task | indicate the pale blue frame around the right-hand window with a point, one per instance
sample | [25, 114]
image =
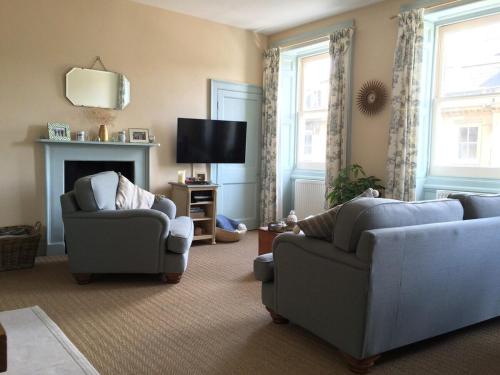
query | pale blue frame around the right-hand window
[427, 182]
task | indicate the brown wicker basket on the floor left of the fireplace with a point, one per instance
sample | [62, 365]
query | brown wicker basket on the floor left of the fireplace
[18, 252]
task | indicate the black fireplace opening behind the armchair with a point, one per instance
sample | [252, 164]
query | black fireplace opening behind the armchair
[74, 169]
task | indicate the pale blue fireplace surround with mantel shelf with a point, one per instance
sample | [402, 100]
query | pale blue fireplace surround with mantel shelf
[57, 152]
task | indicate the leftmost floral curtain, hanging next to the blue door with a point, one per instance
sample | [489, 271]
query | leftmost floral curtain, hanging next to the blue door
[269, 130]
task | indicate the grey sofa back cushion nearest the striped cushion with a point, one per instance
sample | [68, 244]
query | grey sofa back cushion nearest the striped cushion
[368, 213]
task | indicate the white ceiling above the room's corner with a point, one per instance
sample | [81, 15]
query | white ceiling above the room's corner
[264, 16]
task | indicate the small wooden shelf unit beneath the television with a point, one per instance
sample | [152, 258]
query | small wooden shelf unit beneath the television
[199, 202]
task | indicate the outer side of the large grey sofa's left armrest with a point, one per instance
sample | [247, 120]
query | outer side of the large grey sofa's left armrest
[322, 289]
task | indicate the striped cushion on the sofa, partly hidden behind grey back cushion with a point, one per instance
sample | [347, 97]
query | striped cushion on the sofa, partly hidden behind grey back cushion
[322, 225]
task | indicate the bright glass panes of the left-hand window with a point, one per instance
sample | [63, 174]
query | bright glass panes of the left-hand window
[312, 94]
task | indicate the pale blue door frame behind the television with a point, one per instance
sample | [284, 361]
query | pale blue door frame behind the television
[215, 86]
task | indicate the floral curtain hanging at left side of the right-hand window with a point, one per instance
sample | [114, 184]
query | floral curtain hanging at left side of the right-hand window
[402, 152]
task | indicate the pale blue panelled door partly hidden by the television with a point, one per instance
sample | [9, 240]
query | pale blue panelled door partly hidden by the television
[239, 191]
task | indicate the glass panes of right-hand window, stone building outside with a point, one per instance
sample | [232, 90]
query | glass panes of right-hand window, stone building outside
[466, 99]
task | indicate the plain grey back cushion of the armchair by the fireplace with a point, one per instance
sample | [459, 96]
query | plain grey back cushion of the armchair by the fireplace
[97, 192]
